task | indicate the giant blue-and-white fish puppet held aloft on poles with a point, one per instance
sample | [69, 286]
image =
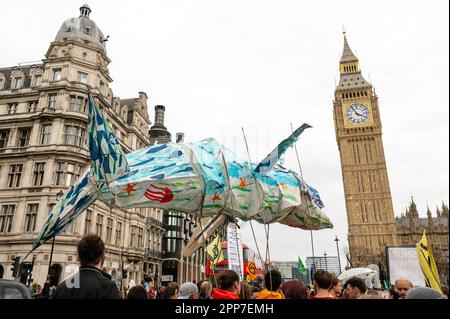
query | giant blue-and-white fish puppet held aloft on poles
[202, 178]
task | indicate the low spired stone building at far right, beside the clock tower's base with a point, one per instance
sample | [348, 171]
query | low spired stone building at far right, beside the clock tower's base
[410, 230]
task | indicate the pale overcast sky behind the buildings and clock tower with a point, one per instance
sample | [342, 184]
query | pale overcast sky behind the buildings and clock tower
[218, 66]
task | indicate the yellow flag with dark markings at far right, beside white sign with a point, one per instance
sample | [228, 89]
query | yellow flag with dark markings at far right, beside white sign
[427, 264]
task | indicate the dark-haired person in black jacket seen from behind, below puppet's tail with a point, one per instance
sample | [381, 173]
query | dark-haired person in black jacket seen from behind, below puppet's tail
[90, 282]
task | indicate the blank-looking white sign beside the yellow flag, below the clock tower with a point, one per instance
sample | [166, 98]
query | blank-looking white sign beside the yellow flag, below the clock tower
[404, 263]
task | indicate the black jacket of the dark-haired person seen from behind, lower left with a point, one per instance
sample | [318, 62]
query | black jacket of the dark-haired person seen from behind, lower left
[88, 283]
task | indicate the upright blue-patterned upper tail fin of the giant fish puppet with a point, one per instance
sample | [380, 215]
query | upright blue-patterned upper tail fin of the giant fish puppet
[108, 158]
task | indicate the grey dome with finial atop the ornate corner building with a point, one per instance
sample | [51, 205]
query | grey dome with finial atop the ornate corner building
[82, 27]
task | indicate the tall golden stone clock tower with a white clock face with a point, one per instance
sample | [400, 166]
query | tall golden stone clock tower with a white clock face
[370, 214]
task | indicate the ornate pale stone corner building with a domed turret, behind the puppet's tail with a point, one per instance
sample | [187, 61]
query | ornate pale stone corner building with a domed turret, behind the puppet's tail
[43, 150]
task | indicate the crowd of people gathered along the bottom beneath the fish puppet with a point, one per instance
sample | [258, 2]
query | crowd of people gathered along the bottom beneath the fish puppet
[93, 283]
